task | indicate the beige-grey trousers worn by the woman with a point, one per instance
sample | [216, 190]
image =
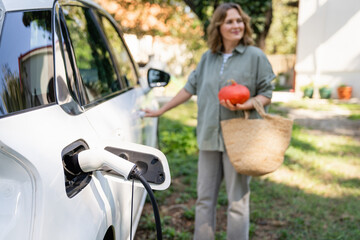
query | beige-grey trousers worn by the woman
[213, 166]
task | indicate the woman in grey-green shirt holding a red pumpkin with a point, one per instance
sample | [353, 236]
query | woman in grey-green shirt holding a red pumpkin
[230, 56]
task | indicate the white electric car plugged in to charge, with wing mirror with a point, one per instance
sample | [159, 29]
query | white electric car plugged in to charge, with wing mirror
[68, 85]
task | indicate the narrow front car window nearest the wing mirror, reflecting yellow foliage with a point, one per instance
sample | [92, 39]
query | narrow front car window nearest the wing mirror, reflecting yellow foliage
[123, 60]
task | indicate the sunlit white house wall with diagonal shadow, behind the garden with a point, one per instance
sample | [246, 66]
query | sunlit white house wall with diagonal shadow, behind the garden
[328, 50]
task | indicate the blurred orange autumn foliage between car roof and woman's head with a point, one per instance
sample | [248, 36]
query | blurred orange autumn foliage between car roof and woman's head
[160, 18]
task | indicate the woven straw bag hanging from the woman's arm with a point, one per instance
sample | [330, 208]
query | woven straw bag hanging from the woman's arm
[257, 146]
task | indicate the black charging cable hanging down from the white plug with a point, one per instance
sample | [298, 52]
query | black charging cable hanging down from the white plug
[136, 174]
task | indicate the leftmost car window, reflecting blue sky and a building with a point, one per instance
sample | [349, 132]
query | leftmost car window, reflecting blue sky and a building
[26, 61]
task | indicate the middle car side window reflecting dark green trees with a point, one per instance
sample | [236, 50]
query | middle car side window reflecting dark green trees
[92, 56]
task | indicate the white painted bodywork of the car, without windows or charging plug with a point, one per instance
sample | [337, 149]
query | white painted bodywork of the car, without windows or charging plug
[33, 200]
